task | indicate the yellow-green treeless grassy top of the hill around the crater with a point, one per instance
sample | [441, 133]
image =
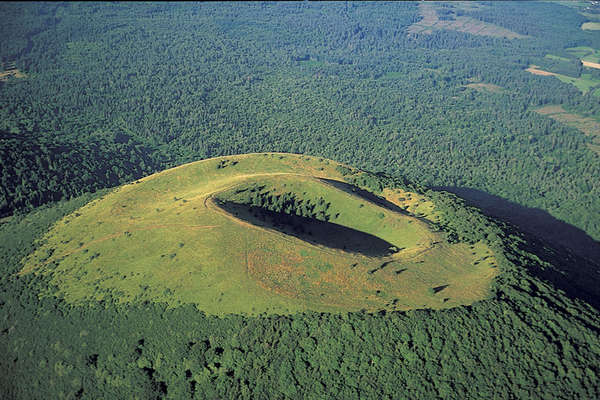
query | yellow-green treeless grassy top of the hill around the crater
[170, 237]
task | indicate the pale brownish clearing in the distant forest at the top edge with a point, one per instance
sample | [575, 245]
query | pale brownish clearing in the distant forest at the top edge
[431, 22]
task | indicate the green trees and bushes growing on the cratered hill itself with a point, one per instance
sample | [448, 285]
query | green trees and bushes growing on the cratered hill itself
[536, 336]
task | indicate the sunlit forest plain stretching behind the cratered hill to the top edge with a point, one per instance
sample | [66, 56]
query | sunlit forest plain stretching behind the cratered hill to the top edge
[190, 82]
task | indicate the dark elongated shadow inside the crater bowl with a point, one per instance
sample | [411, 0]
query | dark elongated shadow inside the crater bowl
[311, 230]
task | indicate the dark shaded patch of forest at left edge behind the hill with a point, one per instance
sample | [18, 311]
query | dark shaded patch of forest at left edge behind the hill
[36, 169]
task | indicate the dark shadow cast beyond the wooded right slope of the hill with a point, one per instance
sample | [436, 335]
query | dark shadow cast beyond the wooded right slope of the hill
[574, 254]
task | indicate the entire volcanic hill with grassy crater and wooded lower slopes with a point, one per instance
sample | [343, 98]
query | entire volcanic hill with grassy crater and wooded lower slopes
[209, 280]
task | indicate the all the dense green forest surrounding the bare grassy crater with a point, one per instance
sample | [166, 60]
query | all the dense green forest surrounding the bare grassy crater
[112, 92]
